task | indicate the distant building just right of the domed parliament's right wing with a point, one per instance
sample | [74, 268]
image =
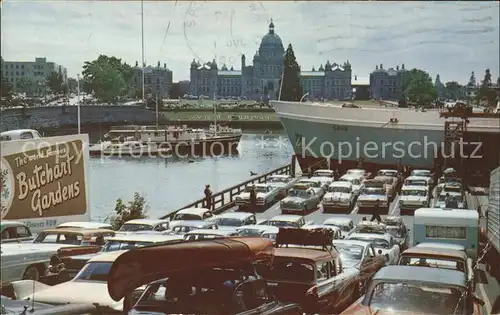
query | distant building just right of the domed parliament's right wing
[386, 83]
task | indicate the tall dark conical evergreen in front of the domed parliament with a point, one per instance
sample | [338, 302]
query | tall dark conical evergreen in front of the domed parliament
[292, 88]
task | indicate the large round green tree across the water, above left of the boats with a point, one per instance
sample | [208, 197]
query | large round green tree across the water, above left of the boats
[109, 78]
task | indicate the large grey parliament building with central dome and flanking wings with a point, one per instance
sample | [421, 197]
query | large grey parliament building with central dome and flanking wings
[261, 79]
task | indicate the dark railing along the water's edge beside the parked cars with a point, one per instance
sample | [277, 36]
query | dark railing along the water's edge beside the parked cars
[225, 199]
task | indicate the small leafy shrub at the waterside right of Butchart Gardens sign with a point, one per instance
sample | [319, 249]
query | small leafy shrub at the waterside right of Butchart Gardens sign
[135, 209]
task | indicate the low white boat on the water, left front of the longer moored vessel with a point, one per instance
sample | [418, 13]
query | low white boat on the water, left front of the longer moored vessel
[130, 148]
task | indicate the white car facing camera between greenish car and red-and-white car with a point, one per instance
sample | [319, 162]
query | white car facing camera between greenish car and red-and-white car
[340, 195]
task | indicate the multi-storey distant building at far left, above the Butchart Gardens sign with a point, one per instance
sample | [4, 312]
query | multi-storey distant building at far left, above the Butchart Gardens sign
[30, 76]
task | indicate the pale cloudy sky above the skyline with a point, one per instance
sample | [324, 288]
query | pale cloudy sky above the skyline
[447, 38]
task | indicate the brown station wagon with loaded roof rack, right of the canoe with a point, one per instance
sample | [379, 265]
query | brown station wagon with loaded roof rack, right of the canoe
[298, 274]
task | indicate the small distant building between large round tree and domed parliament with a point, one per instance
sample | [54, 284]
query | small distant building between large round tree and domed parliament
[157, 80]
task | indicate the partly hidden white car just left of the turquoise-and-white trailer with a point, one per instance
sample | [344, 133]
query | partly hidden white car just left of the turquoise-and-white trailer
[383, 243]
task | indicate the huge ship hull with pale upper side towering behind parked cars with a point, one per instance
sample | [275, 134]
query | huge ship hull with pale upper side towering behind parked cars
[377, 137]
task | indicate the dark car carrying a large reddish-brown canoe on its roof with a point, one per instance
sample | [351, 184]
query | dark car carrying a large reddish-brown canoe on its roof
[207, 277]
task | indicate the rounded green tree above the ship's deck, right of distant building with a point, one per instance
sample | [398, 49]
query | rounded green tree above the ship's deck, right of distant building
[417, 87]
